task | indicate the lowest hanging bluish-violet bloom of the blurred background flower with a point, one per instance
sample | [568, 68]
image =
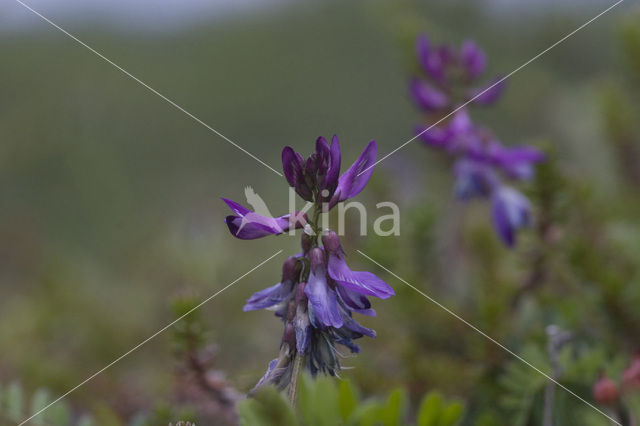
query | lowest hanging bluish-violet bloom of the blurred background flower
[510, 211]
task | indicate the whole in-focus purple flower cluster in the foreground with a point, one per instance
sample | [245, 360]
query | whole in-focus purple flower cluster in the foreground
[318, 293]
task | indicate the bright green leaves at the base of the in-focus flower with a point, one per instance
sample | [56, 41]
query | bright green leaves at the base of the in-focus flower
[322, 402]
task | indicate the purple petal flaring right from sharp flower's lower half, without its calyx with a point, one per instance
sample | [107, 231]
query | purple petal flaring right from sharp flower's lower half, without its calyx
[359, 281]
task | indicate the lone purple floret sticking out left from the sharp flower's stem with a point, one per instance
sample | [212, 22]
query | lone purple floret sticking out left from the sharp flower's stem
[248, 225]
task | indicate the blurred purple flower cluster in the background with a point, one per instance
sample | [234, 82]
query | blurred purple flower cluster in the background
[482, 163]
